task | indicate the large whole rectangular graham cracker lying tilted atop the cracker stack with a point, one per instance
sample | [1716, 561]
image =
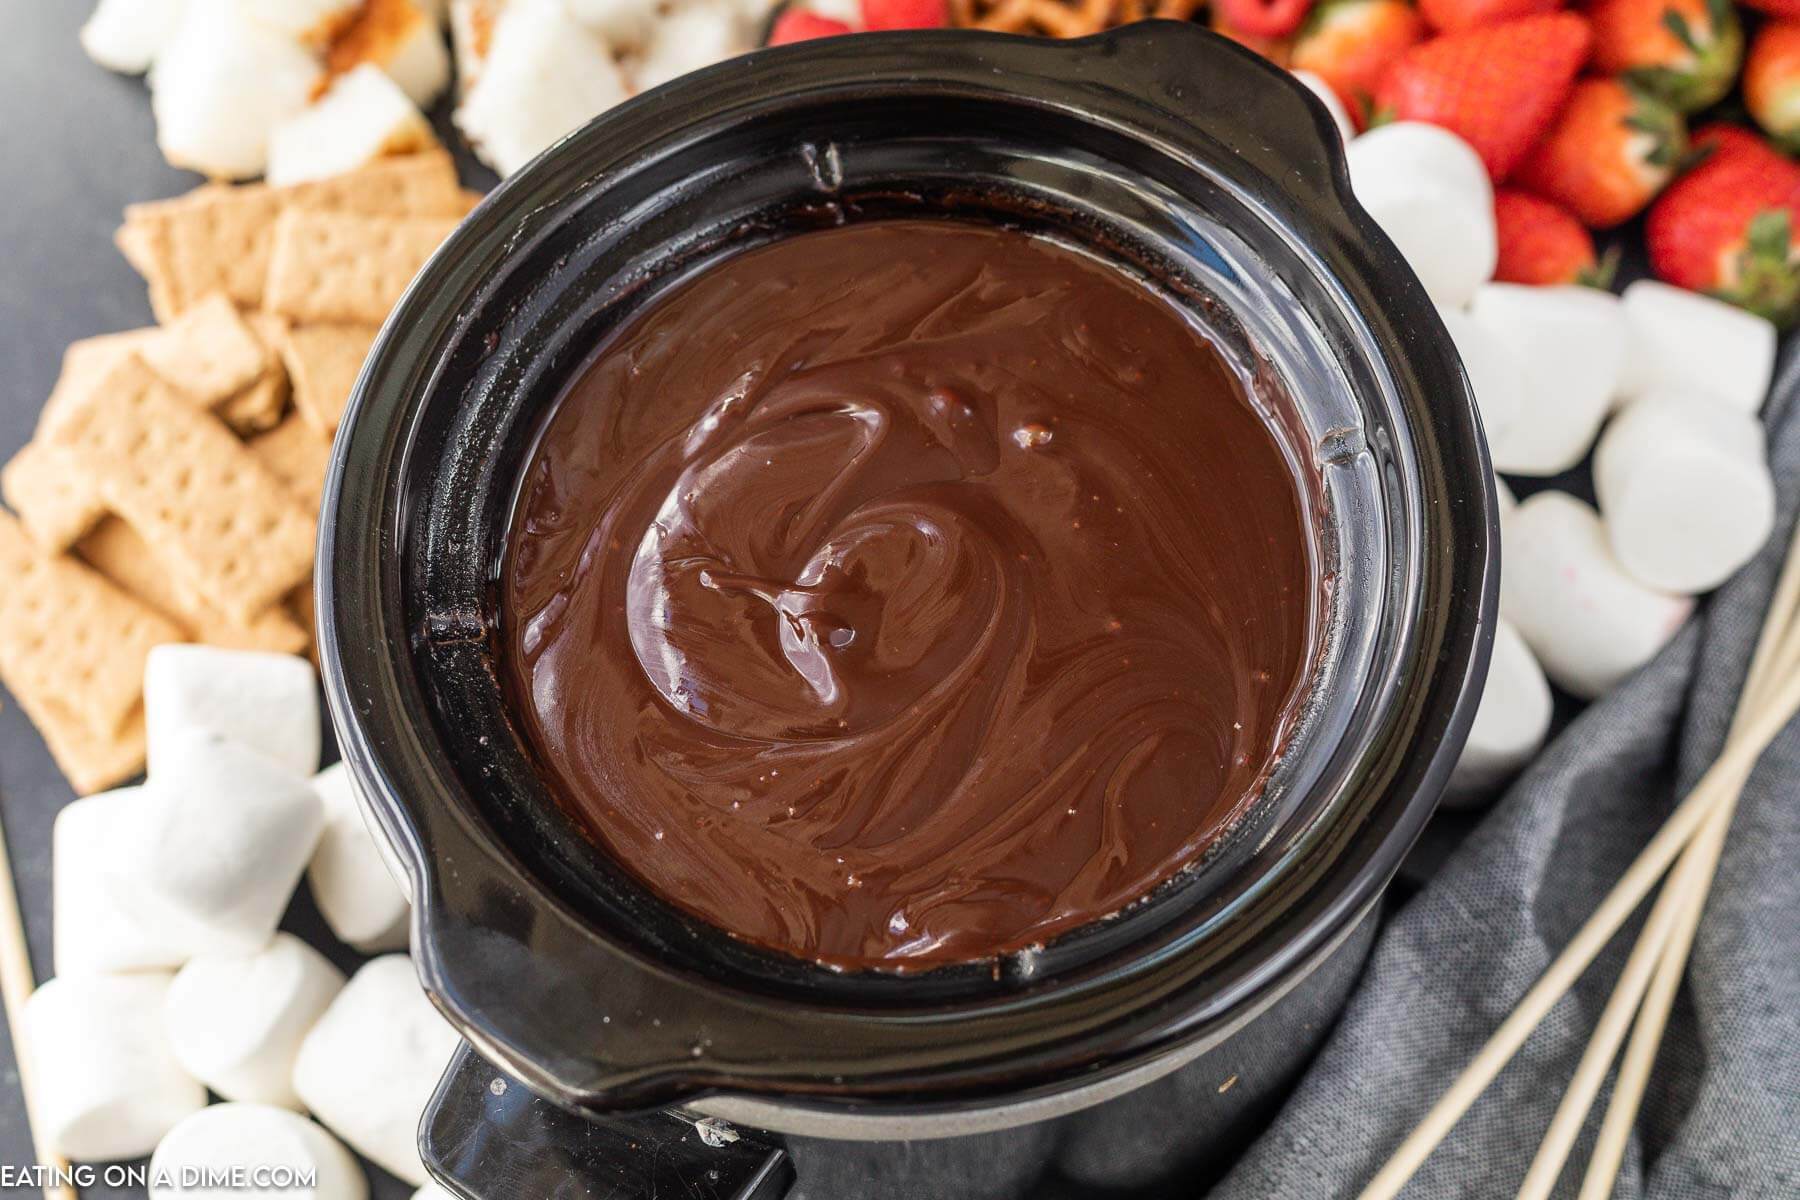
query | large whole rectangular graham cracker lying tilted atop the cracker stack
[193, 492]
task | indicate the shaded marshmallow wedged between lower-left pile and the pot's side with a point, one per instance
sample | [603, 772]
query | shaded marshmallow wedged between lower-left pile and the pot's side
[350, 881]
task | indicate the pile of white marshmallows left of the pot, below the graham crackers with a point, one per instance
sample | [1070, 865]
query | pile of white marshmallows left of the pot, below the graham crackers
[172, 978]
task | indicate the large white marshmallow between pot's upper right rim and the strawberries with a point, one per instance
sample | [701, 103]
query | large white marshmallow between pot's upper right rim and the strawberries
[1428, 192]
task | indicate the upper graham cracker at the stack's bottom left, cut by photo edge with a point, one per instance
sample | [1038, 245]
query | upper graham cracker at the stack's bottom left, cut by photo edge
[71, 643]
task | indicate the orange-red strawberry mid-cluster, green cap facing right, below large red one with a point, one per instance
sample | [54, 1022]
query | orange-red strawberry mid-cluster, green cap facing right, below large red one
[1608, 154]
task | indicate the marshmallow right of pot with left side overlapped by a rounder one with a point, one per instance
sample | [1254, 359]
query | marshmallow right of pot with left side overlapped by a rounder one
[1570, 345]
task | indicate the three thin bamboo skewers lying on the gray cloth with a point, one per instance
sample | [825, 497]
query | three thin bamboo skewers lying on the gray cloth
[1695, 832]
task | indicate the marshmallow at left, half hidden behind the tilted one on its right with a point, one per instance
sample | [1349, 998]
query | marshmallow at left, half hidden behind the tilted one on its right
[93, 929]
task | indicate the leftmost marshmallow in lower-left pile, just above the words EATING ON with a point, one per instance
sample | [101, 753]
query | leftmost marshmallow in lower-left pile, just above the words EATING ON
[107, 1086]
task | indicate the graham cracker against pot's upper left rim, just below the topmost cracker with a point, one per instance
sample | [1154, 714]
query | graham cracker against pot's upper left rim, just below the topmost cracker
[345, 267]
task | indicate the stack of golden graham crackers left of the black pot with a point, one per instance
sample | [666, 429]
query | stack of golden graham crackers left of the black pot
[172, 490]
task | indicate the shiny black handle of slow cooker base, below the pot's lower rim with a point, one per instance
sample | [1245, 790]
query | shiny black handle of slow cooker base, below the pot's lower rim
[489, 1138]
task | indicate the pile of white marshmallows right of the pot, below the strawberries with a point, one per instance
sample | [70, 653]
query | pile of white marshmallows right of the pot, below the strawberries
[1680, 467]
